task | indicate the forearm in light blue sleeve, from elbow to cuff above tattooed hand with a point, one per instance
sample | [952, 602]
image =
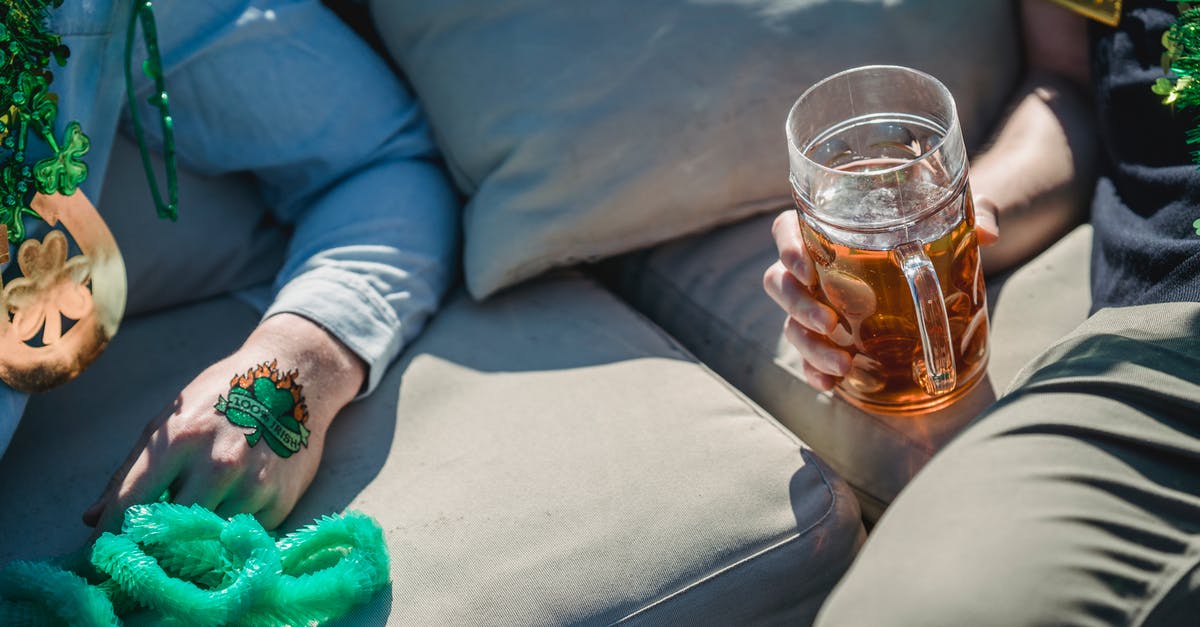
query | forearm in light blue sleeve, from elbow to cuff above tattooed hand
[371, 260]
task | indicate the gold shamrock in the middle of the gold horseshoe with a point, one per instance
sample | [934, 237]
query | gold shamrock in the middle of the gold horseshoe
[52, 288]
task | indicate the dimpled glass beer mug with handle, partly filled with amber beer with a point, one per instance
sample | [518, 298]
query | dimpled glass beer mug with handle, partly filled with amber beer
[879, 172]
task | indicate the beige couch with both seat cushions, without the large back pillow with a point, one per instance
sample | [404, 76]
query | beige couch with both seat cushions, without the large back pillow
[619, 443]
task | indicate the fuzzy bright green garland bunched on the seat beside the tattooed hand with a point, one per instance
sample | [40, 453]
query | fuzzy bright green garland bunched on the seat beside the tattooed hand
[195, 569]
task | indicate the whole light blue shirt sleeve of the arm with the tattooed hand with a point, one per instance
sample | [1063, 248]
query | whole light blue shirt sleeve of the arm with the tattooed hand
[343, 154]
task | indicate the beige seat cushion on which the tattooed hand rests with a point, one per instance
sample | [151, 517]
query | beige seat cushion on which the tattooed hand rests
[547, 458]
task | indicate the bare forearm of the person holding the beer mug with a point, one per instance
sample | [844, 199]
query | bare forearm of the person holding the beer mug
[1040, 171]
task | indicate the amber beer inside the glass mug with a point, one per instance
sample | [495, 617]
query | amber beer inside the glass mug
[878, 321]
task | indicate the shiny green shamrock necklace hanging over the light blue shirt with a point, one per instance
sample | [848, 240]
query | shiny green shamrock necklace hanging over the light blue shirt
[28, 106]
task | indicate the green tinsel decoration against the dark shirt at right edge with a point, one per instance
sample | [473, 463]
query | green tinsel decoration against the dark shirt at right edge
[1183, 59]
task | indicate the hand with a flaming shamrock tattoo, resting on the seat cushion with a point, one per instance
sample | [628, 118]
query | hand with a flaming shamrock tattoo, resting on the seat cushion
[247, 435]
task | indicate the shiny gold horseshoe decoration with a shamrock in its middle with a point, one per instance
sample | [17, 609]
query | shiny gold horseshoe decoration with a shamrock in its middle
[55, 288]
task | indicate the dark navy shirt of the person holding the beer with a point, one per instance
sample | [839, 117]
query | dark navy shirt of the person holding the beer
[1149, 196]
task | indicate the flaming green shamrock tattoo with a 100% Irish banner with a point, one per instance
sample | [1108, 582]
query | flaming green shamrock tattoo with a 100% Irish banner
[273, 405]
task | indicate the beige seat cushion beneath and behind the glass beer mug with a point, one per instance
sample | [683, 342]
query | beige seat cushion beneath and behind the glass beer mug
[707, 292]
